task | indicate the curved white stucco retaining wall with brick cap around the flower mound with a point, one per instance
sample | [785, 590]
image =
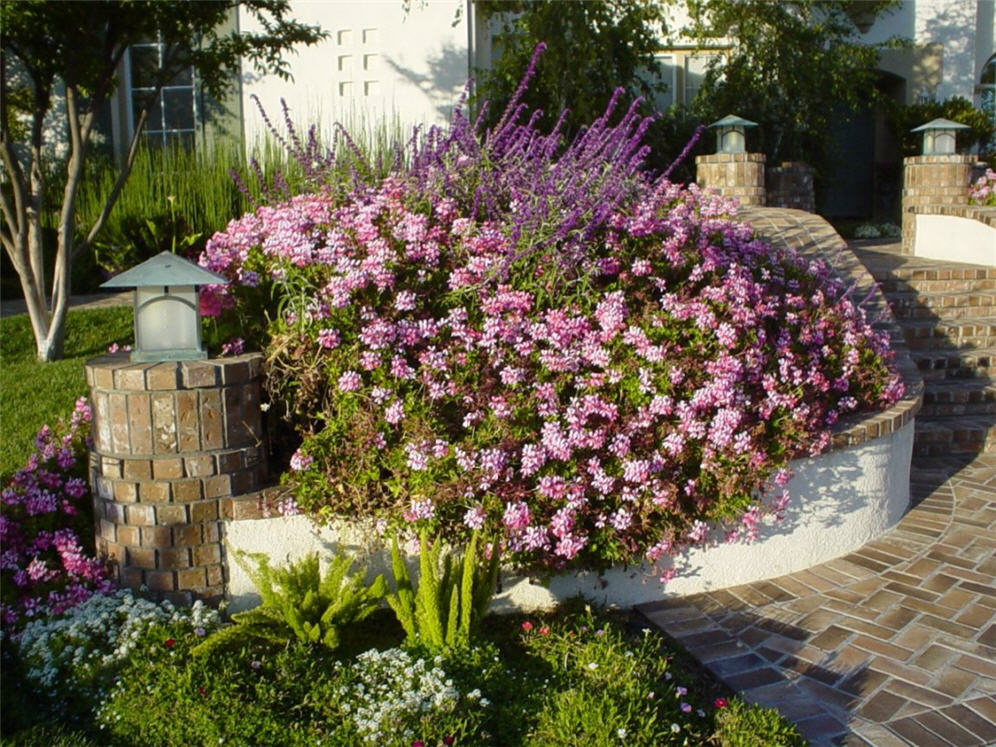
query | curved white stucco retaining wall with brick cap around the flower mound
[842, 499]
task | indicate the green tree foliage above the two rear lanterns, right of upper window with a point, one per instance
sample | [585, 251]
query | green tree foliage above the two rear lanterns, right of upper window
[795, 66]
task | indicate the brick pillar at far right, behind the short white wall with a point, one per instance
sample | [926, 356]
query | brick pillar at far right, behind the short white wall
[932, 180]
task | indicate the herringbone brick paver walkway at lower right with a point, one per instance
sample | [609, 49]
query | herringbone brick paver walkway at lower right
[894, 644]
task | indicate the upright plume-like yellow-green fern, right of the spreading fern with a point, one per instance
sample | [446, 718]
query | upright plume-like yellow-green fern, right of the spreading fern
[445, 609]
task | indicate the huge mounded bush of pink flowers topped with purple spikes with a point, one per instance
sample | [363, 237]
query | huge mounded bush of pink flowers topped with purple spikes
[593, 365]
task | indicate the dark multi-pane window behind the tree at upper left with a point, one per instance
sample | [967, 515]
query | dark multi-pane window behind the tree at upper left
[173, 113]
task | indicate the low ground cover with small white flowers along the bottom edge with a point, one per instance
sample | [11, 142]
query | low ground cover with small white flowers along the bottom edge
[118, 670]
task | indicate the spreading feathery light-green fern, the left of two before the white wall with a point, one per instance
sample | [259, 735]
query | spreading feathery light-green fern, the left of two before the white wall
[298, 603]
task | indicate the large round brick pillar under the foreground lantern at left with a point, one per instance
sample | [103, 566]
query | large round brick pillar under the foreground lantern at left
[172, 443]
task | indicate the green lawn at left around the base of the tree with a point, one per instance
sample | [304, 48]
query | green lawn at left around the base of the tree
[33, 393]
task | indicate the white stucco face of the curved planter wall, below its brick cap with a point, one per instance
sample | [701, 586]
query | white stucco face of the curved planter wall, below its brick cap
[841, 500]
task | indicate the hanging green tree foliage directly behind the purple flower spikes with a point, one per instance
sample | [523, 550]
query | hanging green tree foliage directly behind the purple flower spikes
[592, 48]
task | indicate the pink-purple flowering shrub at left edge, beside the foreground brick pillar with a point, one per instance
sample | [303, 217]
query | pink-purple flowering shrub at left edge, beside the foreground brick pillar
[44, 564]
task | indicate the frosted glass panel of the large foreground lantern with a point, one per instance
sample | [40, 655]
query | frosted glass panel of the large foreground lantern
[167, 321]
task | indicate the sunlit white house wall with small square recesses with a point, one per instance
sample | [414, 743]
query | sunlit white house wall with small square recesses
[378, 62]
